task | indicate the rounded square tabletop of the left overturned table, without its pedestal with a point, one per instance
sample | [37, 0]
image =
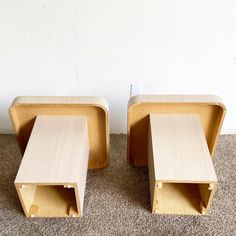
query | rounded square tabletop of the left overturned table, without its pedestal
[24, 110]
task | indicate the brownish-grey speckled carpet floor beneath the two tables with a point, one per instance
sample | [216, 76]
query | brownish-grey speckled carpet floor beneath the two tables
[117, 199]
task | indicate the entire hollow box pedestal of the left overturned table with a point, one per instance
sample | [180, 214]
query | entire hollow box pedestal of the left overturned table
[52, 176]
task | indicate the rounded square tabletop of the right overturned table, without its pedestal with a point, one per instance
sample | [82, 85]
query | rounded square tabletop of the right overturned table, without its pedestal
[209, 108]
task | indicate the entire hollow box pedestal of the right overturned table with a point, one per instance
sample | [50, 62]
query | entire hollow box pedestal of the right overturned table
[181, 173]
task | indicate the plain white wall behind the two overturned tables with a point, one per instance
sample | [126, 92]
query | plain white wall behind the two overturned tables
[99, 47]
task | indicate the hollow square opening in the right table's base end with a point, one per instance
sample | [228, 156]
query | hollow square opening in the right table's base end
[182, 198]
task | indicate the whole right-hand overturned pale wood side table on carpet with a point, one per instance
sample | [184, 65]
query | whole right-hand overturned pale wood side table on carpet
[176, 137]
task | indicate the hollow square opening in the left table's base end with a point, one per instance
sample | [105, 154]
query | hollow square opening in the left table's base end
[48, 200]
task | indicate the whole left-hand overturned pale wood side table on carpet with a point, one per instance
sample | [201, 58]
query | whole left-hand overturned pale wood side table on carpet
[60, 138]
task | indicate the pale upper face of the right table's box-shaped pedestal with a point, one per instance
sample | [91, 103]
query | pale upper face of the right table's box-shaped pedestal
[180, 150]
